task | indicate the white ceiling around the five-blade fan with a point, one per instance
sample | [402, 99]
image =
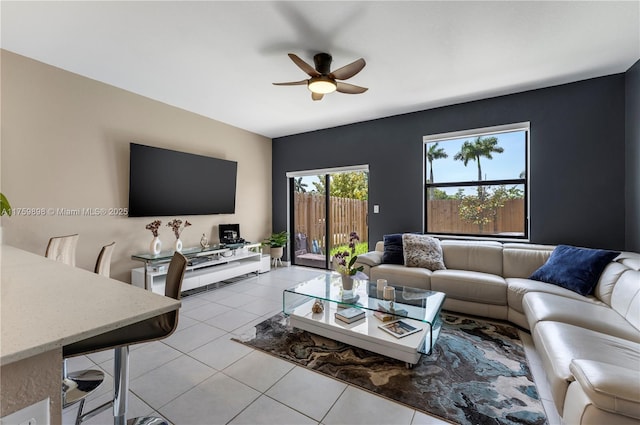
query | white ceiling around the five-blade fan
[218, 59]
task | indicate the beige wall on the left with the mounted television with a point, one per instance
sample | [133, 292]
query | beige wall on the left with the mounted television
[65, 145]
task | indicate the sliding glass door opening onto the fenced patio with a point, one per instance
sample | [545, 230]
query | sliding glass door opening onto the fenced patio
[325, 208]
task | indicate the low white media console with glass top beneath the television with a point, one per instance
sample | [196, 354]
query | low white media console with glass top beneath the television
[205, 266]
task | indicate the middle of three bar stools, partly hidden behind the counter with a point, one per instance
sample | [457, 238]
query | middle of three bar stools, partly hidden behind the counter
[76, 386]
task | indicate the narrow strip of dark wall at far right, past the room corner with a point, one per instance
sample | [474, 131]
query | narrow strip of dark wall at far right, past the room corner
[632, 166]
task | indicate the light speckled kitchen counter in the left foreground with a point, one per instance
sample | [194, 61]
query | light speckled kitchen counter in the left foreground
[45, 305]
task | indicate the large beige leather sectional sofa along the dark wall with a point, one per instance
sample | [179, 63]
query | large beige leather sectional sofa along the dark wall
[589, 345]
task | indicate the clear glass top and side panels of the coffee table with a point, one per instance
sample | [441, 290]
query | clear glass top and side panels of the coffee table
[410, 303]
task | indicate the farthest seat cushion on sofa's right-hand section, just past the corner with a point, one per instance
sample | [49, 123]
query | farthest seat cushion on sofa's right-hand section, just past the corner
[597, 316]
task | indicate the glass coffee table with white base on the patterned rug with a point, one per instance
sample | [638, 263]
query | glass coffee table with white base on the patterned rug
[417, 308]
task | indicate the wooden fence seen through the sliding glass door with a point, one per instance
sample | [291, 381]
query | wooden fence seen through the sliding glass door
[345, 216]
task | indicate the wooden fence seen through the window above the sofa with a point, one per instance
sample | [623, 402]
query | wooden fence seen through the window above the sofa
[443, 217]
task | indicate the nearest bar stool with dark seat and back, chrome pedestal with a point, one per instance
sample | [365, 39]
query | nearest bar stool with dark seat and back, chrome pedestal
[152, 329]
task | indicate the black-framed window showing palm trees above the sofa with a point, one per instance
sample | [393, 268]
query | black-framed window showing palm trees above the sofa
[476, 182]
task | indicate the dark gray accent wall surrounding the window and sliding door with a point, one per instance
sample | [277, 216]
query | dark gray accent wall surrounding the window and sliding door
[577, 160]
